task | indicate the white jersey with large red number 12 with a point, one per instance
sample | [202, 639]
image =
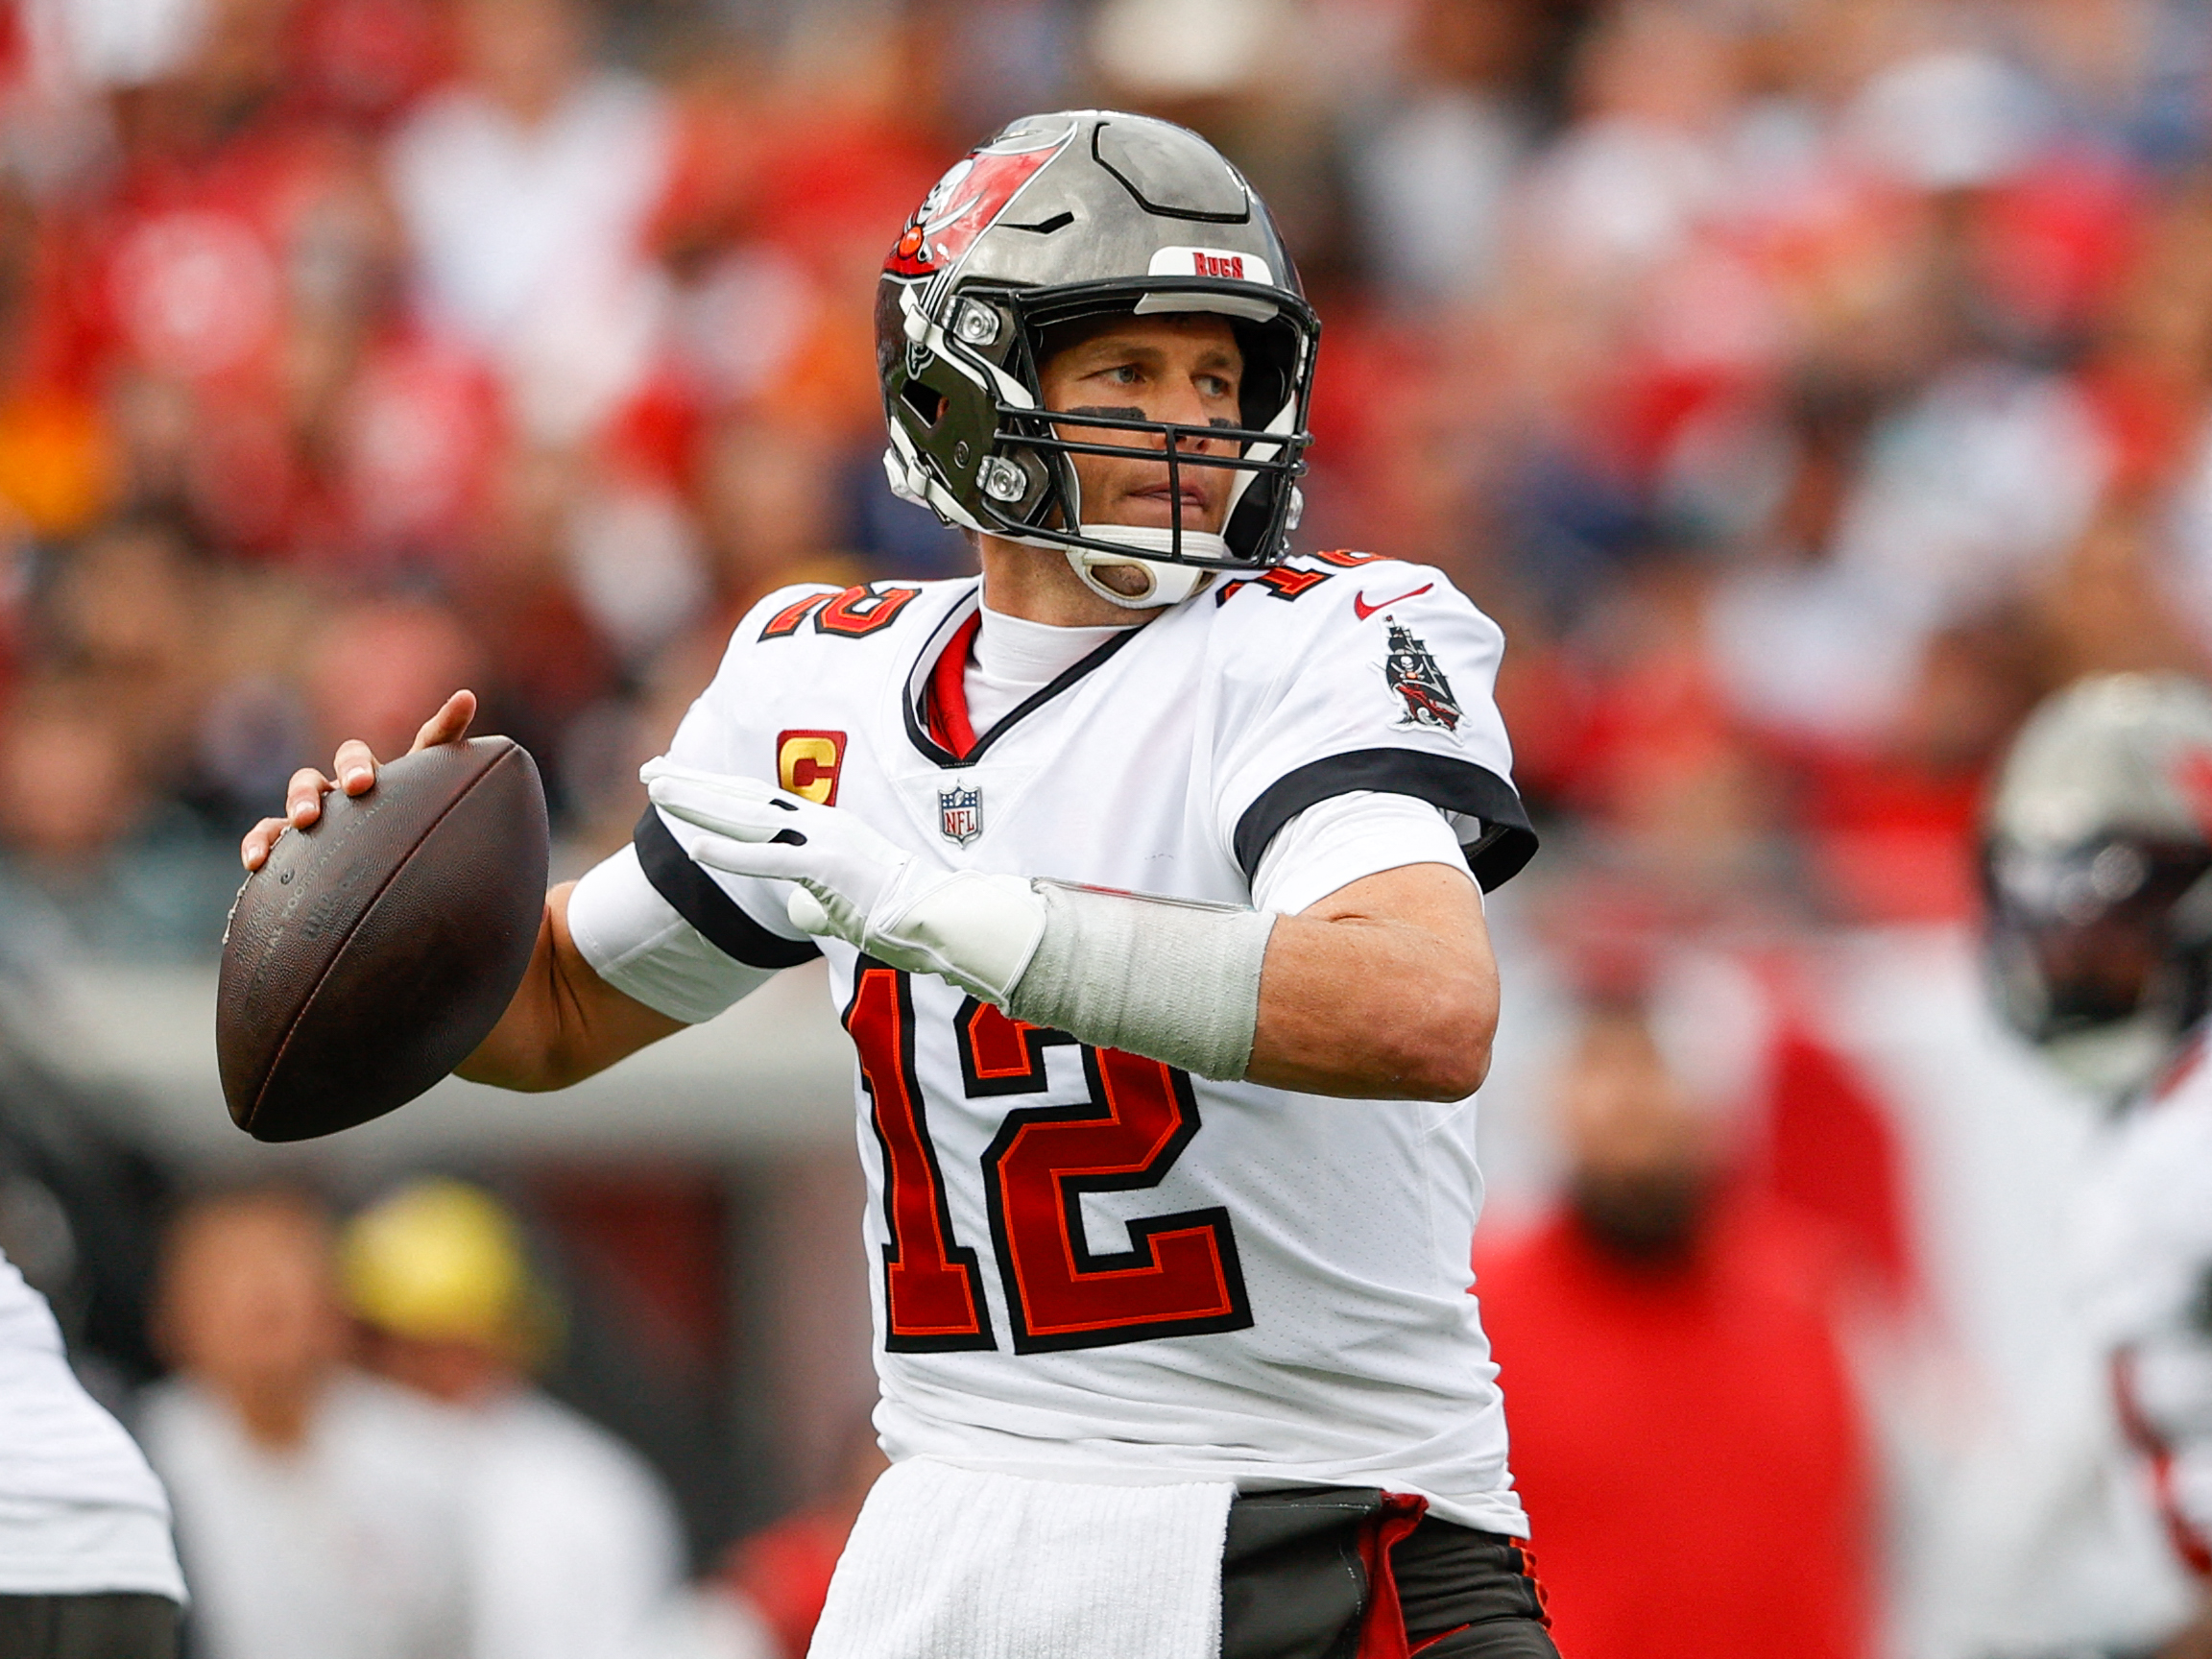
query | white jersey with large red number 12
[1092, 1264]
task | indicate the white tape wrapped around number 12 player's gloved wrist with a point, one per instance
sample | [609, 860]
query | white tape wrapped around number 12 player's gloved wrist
[1158, 977]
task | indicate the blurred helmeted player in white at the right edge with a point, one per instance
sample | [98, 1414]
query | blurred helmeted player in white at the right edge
[2098, 870]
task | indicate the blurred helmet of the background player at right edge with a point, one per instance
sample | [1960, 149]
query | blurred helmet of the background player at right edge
[2098, 866]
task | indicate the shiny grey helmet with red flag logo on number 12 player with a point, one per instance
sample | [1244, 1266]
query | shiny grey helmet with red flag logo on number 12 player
[1054, 220]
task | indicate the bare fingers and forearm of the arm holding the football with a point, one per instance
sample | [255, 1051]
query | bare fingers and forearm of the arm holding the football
[565, 1021]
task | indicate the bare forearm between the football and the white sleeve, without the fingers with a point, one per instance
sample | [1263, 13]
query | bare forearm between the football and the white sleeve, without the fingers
[565, 1021]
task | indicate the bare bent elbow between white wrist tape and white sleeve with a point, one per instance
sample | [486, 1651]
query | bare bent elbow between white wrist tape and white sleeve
[1364, 1003]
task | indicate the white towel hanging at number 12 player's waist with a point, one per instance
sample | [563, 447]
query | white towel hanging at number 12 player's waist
[961, 1565]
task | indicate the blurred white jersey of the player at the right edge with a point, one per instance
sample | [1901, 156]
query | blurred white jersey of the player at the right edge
[2147, 1262]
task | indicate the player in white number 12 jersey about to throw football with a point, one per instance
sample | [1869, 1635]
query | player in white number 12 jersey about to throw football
[1149, 879]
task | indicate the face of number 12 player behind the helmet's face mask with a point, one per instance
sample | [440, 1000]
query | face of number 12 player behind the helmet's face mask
[1180, 368]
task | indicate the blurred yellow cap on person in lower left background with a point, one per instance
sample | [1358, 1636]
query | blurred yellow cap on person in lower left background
[444, 1262]
